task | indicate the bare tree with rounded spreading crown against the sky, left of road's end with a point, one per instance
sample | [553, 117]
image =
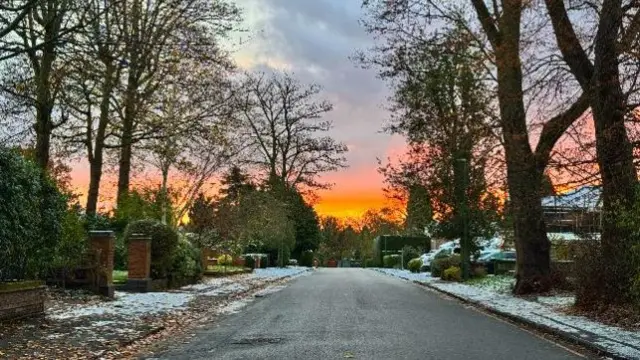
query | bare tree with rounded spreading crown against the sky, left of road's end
[284, 126]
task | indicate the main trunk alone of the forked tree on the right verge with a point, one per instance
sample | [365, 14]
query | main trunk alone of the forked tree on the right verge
[523, 175]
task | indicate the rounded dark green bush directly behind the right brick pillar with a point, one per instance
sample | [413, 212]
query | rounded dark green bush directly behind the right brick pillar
[164, 242]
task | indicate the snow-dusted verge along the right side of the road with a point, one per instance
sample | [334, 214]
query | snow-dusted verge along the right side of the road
[544, 311]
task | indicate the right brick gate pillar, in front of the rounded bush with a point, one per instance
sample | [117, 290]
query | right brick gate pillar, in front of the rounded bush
[139, 277]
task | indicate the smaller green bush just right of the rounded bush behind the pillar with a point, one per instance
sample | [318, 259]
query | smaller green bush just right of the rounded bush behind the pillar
[186, 267]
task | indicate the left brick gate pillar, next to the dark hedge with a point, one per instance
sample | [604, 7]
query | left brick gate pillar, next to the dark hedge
[103, 243]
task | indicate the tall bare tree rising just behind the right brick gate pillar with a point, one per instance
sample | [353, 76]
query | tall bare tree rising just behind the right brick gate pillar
[150, 32]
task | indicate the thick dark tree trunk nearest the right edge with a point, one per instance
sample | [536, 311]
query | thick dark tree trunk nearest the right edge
[615, 154]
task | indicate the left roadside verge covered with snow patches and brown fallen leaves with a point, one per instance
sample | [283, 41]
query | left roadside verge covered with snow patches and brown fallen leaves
[88, 326]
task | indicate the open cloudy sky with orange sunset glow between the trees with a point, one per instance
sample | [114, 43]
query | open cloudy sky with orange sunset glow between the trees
[314, 39]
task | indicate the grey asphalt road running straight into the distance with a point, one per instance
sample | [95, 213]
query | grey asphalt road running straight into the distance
[362, 314]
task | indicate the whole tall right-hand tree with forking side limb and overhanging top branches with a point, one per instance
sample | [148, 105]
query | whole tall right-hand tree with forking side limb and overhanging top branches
[498, 33]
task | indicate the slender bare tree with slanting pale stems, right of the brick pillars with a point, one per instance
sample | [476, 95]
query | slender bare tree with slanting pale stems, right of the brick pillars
[196, 136]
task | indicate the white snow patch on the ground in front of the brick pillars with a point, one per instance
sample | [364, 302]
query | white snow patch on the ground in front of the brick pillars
[130, 305]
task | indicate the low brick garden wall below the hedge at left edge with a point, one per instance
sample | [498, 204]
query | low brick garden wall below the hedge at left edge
[21, 302]
